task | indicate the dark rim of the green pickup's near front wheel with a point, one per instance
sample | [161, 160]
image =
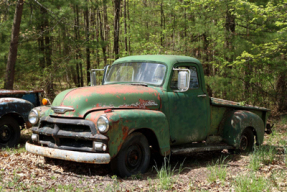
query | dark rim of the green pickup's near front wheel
[134, 157]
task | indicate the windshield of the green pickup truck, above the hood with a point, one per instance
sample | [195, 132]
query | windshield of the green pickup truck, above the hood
[149, 73]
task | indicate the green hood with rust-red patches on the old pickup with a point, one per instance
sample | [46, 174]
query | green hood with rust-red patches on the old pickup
[80, 101]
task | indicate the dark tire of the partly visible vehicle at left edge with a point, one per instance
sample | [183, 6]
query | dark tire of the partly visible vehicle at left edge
[9, 132]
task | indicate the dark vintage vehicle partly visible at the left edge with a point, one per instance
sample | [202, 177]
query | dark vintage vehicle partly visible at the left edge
[15, 106]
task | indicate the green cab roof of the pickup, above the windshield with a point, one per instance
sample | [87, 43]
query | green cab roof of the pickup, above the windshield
[167, 59]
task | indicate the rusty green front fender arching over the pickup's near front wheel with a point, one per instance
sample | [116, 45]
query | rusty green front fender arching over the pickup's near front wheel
[124, 122]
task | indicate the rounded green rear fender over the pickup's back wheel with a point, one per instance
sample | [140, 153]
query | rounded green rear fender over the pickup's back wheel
[236, 122]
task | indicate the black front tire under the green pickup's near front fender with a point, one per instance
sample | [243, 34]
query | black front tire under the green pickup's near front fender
[134, 156]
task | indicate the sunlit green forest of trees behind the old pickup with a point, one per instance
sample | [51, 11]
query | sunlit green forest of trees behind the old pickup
[241, 43]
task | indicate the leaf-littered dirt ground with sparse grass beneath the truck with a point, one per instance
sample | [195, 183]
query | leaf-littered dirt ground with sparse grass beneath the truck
[21, 171]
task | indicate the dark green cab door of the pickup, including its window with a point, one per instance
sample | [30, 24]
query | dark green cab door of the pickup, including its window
[188, 111]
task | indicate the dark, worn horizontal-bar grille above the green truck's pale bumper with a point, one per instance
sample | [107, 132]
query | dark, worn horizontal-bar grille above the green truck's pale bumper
[68, 134]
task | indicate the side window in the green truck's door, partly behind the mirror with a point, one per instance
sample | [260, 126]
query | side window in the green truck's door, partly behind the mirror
[193, 78]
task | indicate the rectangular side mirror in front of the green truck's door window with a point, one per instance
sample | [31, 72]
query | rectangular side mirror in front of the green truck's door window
[183, 79]
